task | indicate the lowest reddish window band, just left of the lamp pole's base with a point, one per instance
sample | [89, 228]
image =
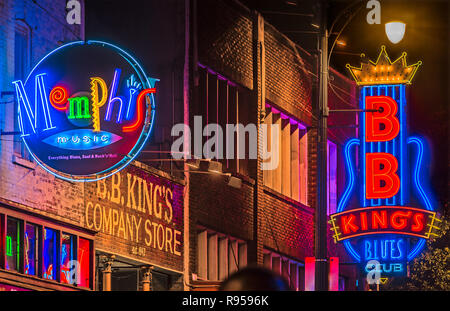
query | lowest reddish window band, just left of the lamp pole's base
[292, 271]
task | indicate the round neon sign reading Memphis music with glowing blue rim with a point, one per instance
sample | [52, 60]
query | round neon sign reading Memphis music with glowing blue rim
[86, 110]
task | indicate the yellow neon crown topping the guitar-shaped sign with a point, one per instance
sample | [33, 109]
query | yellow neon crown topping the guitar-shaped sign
[383, 71]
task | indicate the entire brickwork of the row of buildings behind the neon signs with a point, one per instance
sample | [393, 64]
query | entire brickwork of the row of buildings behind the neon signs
[266, 67]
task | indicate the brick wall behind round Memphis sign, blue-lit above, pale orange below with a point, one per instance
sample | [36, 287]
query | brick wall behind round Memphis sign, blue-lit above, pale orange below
[30, 185]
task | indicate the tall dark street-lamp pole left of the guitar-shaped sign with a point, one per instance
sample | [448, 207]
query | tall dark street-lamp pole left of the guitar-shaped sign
[321, 213]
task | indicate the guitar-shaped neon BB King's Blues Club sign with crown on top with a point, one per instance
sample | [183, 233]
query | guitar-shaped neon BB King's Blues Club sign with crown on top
[385, 213]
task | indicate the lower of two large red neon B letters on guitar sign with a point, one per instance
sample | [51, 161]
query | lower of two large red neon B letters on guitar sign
[381, 167]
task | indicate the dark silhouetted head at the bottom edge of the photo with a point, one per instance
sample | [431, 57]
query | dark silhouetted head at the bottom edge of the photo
[254, 279]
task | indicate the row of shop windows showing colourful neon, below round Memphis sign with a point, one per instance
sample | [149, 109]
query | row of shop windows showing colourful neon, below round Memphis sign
[34, 249]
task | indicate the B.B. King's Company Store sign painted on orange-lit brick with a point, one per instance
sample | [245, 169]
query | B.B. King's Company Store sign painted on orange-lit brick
[138, 214]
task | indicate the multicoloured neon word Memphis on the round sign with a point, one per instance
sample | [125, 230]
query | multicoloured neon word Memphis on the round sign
[129, 109]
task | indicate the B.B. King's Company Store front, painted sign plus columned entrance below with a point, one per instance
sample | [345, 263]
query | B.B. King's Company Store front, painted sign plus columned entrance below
[138, 216]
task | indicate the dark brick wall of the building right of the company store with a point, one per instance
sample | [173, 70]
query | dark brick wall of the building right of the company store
[279, 223]
